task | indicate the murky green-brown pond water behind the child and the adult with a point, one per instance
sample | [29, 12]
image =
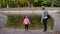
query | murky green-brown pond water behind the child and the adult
[15, 21]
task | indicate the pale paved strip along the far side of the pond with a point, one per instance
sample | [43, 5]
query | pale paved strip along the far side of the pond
[25, 12]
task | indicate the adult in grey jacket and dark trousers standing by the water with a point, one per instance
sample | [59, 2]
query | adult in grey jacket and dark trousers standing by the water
[44, 18]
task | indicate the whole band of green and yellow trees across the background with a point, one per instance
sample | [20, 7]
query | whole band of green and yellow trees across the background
[28, 3]
